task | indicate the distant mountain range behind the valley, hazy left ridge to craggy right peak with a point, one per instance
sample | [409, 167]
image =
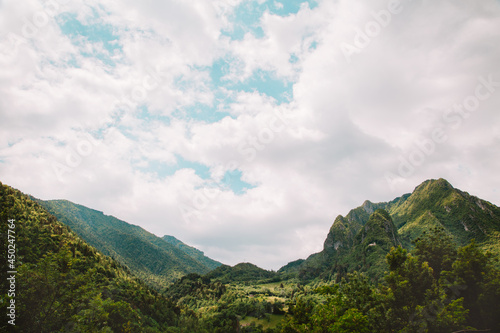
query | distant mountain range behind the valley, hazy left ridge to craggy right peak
[359, 241]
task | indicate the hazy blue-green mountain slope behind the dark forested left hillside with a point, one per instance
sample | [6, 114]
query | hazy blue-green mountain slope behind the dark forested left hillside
[149, 257]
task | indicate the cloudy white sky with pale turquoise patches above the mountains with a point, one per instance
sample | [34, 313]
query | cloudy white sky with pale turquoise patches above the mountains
[245, 127]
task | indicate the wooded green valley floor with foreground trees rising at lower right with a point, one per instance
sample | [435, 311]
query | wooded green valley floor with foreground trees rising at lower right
[437, 288]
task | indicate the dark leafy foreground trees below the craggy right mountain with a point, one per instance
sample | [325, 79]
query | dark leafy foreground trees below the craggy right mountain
[410, 298]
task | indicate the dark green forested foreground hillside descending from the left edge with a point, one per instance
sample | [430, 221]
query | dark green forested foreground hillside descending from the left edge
[64, 285]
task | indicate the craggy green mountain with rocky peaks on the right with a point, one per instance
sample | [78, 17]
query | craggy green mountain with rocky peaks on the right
[360, 240]
